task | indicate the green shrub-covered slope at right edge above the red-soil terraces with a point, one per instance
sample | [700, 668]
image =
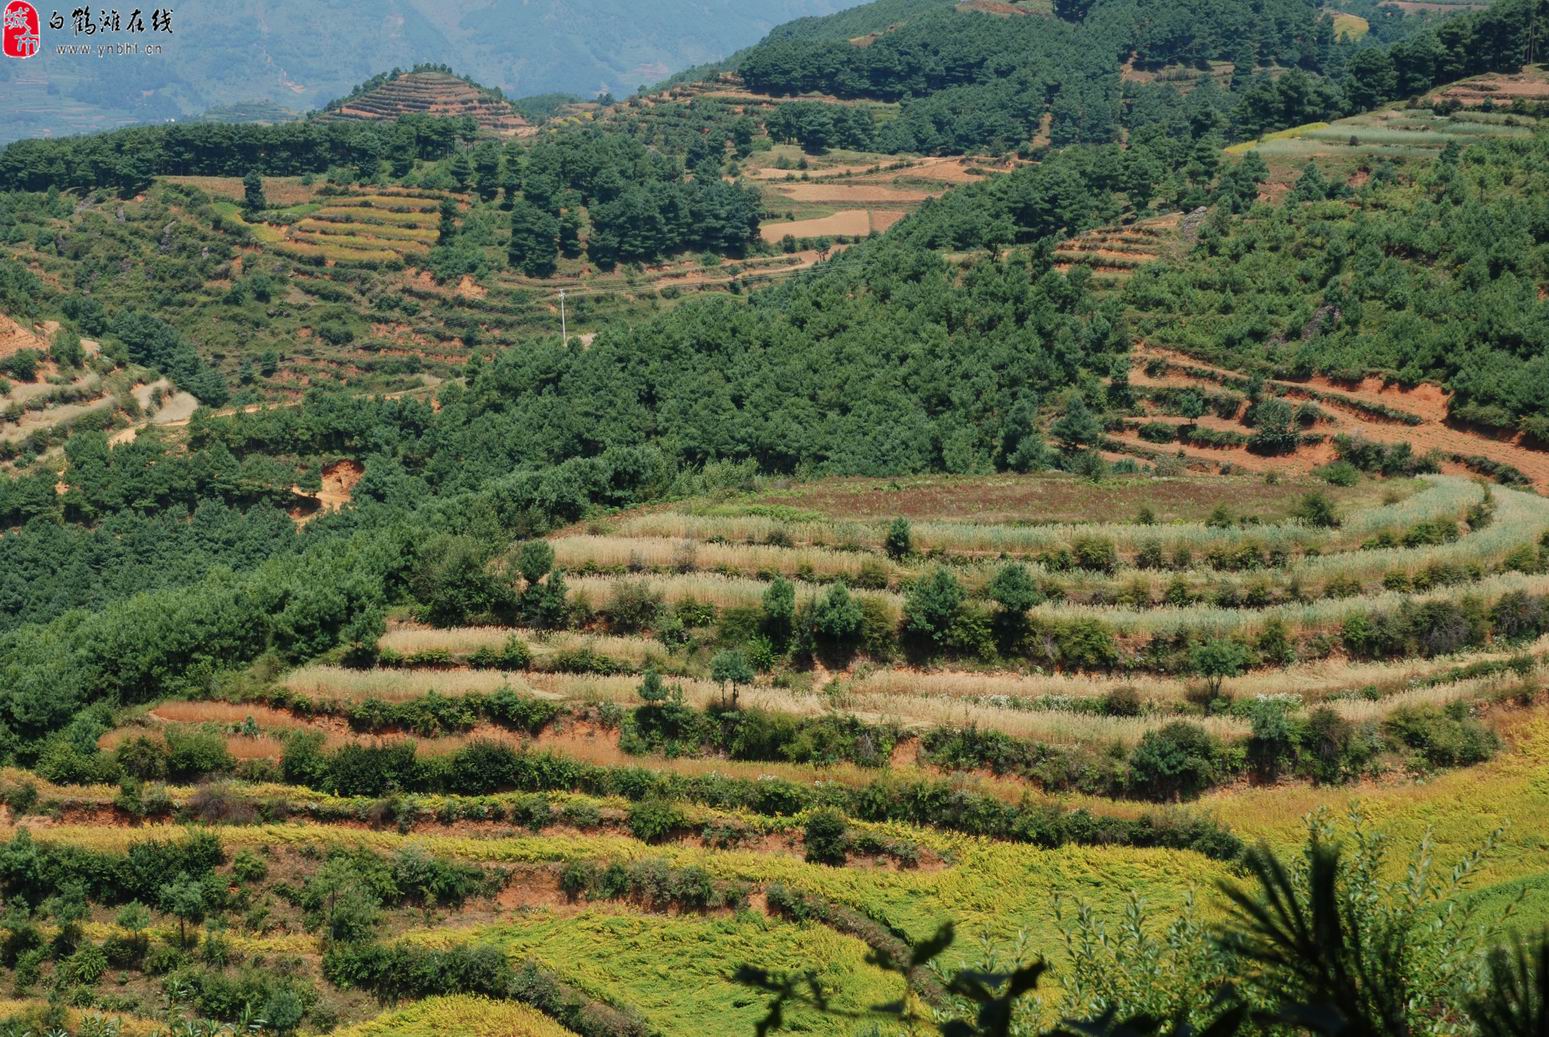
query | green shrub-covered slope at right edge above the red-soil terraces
[1412, 315]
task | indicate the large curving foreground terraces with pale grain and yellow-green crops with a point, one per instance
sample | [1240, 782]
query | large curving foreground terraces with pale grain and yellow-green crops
[617, 849]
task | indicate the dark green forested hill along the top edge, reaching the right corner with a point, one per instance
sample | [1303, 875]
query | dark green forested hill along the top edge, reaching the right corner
[980, 81]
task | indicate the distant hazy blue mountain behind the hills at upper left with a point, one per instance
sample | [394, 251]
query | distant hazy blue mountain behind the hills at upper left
[301, 53]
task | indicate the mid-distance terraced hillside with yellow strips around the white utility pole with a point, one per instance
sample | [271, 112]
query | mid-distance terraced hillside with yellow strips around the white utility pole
[362, 253]
